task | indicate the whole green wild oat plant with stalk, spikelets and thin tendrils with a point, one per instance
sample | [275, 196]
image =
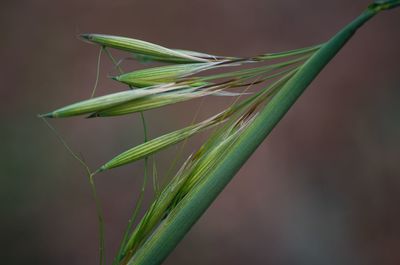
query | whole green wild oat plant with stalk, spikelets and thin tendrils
[238, 130]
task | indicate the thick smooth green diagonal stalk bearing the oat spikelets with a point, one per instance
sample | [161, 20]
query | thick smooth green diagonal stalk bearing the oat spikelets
[193, 205]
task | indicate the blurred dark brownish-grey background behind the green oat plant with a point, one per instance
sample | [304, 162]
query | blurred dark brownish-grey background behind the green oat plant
[323, 189]
